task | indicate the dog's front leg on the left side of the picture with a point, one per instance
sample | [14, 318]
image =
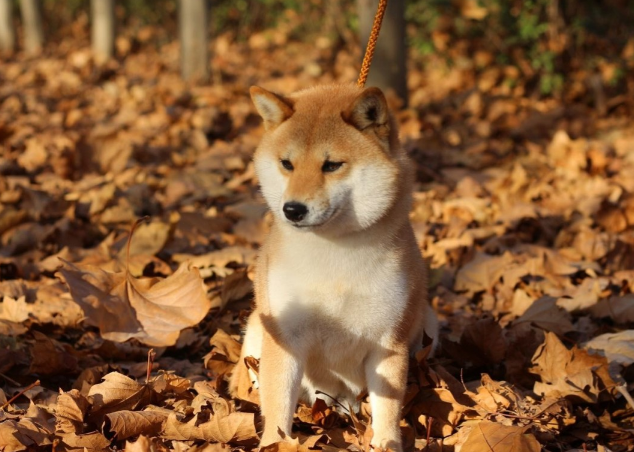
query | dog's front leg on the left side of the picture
[280, 380]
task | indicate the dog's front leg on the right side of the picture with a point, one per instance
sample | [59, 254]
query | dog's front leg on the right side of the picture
[386, 375]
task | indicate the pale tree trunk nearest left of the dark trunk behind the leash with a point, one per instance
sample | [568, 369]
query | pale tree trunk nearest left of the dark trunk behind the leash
[193, 21]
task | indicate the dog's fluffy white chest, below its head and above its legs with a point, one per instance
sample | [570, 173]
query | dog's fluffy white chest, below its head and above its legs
[316, 285]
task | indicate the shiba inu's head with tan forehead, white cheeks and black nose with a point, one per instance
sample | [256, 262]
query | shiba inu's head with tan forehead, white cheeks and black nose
[329, 158]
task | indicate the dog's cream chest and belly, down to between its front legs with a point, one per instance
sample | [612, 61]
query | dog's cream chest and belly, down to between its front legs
[321, 300]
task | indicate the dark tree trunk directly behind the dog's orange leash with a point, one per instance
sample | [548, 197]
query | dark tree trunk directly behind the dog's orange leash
[388, 70]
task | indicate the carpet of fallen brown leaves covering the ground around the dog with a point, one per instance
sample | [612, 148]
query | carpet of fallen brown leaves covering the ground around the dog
[524, 208]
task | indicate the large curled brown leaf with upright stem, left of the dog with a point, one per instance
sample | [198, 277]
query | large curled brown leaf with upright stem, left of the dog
[152, 310]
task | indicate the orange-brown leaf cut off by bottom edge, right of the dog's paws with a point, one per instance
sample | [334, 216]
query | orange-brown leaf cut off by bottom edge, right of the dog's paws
[489, 436]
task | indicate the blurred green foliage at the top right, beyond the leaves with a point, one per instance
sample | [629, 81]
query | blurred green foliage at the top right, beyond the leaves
[548, 34]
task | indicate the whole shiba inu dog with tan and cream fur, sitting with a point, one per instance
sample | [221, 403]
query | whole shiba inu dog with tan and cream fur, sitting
[341, 287]
